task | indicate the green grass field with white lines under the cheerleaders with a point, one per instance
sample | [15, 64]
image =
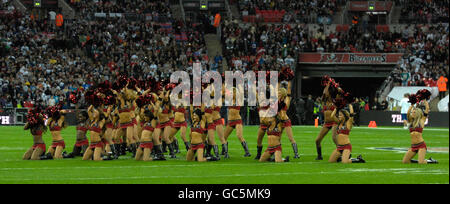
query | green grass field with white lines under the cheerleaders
[383, 166]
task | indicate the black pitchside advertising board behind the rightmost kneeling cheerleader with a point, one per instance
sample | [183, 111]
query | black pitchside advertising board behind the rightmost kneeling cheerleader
[394, 118]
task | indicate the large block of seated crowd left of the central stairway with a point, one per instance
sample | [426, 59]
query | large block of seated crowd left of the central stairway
[44, 67]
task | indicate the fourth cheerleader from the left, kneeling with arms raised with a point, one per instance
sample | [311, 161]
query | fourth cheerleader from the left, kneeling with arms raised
[96, 128]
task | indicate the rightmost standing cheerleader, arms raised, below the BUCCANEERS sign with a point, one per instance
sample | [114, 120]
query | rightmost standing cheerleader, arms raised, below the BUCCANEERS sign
[329, 122]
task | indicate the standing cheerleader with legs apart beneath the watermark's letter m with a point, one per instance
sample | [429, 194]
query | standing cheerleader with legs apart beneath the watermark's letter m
[235, 122]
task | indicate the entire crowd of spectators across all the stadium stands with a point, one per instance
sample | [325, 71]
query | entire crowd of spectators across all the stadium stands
[39, 63]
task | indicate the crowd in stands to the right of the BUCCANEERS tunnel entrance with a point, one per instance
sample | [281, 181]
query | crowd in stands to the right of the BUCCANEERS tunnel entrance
[425, 59]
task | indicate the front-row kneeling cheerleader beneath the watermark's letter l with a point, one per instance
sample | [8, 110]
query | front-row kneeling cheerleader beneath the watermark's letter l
[196, 135]
